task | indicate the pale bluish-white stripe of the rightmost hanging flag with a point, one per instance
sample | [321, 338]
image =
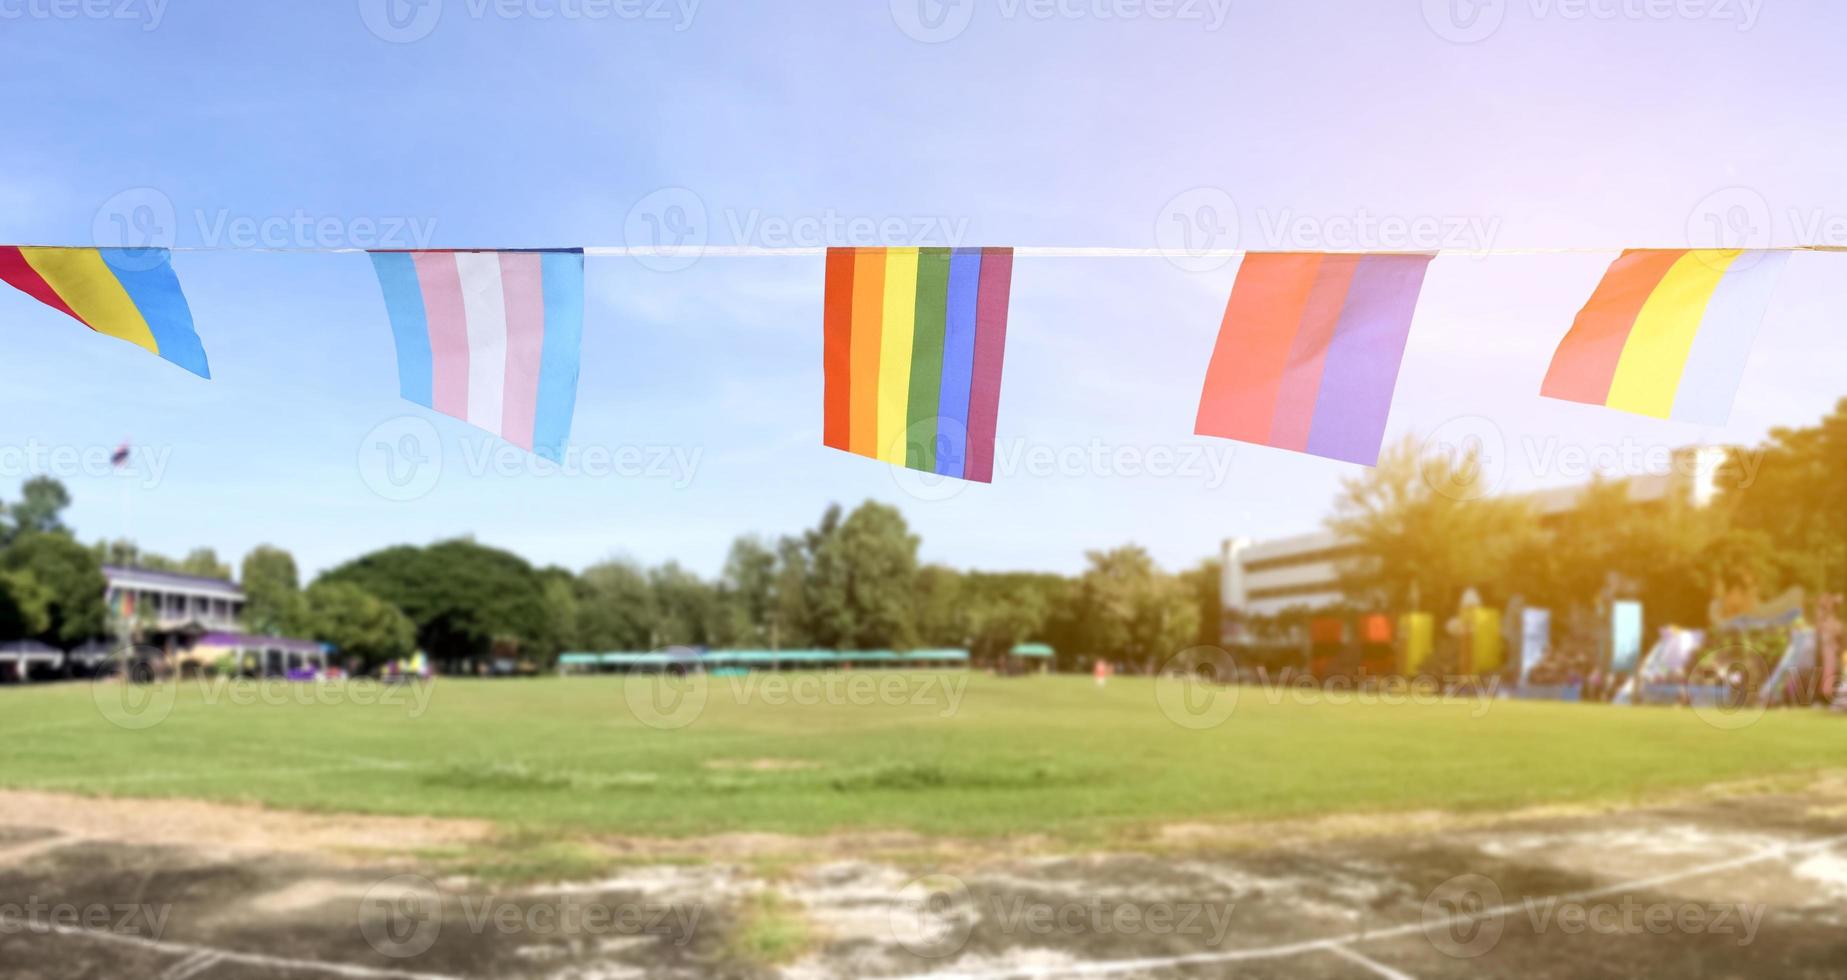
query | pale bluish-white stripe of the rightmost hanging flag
[1715, 365]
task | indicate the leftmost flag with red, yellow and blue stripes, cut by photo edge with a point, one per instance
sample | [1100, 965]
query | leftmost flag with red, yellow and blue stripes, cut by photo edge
[128, 294]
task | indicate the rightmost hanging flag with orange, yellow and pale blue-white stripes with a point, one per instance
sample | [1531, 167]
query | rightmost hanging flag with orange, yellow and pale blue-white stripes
[1669, 333]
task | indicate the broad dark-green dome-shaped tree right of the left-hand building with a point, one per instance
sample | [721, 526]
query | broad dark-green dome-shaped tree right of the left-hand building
[461, 595]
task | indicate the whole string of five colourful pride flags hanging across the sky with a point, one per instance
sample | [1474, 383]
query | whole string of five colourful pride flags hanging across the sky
[915, 339]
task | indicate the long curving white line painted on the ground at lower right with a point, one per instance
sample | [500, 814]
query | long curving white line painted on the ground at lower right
[1410, 929]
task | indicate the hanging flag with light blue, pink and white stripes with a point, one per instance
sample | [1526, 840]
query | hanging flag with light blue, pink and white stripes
[490, 339]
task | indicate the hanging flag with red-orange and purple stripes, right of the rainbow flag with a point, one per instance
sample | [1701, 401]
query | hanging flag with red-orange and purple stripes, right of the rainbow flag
[1309, 352]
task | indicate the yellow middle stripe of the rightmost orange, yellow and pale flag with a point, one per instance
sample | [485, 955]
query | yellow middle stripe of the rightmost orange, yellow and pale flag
[1648, 374]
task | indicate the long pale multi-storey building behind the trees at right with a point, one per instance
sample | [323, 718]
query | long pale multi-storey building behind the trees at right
[1264, 579]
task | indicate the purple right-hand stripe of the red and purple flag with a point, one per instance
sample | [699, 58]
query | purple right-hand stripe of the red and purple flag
[1364, 357]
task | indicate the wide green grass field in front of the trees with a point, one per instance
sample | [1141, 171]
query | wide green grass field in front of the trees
[1015, 756]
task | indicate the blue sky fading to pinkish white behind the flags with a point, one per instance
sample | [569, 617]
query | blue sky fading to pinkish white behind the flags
[1076, 123]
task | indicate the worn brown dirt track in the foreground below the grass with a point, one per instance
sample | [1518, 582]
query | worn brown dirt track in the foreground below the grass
[1737, 887]
